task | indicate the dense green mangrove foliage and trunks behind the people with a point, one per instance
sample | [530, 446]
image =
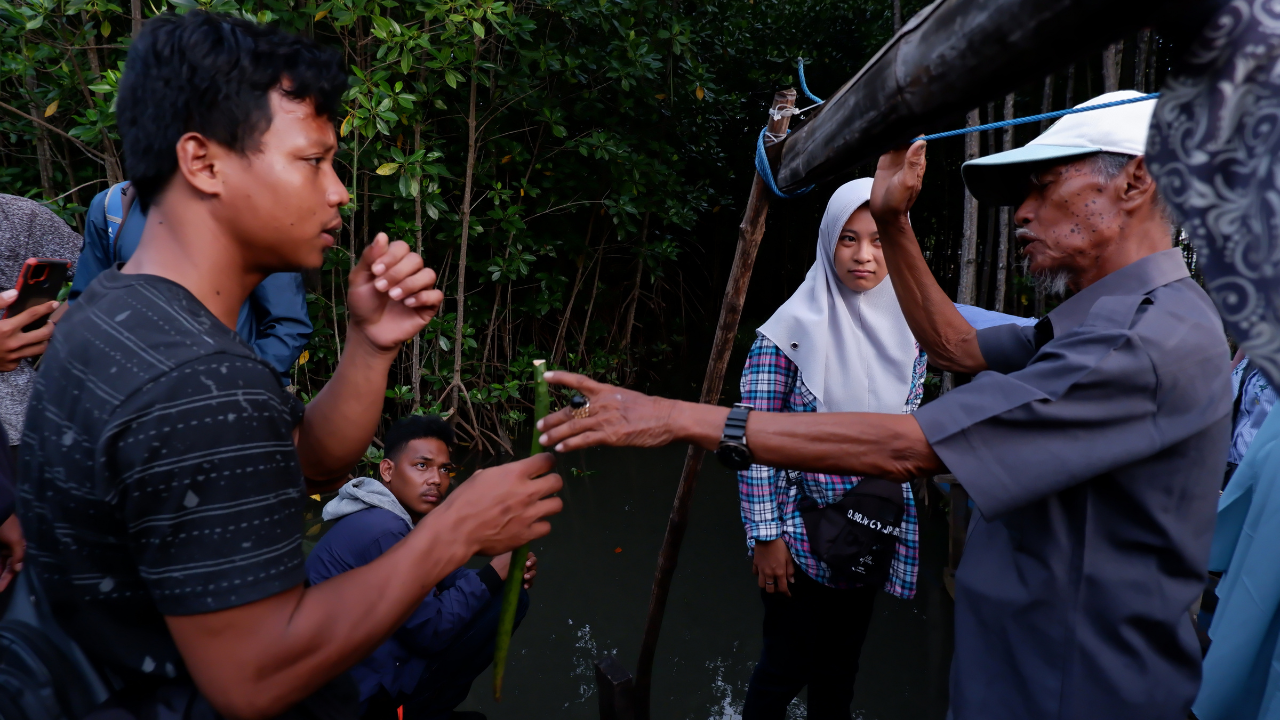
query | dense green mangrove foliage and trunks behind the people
[575, 170]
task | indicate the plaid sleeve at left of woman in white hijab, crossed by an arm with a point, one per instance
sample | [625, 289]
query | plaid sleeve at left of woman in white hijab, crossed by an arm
[767, 381]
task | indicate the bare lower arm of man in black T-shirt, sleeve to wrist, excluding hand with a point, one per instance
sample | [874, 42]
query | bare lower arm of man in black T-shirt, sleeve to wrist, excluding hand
[258, 660]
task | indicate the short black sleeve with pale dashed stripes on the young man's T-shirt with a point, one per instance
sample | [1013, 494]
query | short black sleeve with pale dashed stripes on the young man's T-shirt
[209, 485]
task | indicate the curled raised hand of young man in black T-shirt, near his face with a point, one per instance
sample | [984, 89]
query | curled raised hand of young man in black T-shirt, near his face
[392, 297]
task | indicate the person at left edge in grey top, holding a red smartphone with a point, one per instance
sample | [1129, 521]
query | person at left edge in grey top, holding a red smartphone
[28, 230]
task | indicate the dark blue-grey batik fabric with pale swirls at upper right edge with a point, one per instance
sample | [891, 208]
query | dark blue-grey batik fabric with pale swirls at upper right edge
[1213, 148]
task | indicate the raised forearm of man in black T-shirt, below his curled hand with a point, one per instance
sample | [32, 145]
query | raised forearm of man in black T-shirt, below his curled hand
[341, 421]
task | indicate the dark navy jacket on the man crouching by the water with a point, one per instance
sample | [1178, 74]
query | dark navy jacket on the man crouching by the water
[399, 663]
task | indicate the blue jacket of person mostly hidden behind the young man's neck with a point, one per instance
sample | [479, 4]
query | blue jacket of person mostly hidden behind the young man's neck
[273, 321]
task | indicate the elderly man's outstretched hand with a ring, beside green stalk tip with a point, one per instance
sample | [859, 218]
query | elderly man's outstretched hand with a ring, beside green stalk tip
[616, 417]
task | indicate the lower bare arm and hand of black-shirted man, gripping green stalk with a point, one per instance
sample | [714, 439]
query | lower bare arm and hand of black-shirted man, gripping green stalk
[258, 660]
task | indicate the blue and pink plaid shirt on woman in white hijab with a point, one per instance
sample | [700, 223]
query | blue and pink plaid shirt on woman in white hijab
[772, 384]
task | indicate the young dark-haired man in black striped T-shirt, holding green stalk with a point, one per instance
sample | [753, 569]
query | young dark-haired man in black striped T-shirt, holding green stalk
[163, 463]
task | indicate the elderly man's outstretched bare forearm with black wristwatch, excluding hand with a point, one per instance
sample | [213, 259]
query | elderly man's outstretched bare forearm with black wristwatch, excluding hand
[847, 444]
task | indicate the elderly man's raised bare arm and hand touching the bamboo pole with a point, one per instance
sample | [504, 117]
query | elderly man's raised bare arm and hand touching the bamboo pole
[943, 332]
